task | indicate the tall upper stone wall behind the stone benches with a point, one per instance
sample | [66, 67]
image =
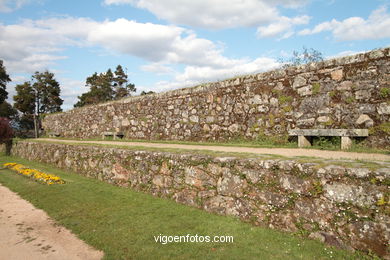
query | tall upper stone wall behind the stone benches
[349, 92]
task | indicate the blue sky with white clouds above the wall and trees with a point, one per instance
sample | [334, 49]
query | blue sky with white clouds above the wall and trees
[169, 44]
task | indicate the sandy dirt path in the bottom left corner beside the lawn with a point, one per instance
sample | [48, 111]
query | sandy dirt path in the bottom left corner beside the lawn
[29, 233]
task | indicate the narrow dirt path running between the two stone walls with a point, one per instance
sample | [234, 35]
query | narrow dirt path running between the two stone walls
[275, 151]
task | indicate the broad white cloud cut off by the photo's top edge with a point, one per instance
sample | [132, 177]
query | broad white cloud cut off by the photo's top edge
[214, 14]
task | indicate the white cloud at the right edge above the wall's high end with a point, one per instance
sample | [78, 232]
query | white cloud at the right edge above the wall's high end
[377, 26]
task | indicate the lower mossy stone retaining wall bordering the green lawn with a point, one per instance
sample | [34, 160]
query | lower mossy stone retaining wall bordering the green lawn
[345, 207]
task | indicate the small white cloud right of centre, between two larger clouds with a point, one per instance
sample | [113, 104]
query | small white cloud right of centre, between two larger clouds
[283, 27]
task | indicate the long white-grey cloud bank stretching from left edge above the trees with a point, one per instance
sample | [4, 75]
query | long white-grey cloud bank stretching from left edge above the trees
[33, 45]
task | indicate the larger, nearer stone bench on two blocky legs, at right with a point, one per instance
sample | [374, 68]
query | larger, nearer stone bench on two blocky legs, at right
[304, 135]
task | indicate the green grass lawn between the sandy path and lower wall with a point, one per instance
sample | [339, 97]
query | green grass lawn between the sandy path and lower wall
[123, 223]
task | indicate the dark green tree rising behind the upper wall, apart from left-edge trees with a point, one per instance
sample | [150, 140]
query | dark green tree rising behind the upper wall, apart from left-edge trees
[106, 87]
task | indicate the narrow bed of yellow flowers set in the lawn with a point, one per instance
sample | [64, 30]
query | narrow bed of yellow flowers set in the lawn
[34, 174]
